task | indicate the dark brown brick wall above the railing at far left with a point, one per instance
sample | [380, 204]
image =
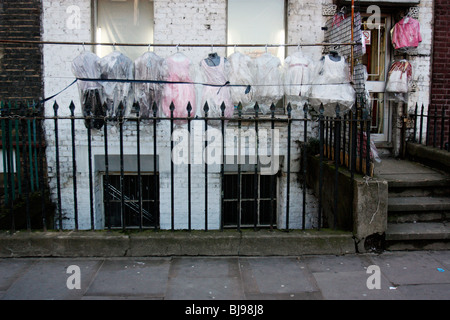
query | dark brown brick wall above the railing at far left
[20, 64]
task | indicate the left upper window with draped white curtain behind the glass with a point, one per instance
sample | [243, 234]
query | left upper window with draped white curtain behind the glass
[124, 21]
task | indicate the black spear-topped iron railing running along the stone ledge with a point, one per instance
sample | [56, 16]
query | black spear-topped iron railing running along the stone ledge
[343, 141]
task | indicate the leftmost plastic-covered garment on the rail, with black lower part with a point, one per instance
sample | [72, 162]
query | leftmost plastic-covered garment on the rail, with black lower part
[87, 66]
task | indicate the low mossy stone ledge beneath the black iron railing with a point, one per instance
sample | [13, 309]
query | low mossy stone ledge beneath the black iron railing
[179, 243]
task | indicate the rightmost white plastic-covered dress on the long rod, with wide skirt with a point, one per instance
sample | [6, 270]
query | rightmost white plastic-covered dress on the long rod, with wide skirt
[330, 85]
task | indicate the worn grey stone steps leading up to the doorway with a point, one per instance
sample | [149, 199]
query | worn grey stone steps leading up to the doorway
[418, 206]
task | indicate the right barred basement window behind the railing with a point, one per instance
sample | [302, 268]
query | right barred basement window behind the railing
[266, 194]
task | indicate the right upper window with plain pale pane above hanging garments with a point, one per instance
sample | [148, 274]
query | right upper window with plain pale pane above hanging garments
[257, 22]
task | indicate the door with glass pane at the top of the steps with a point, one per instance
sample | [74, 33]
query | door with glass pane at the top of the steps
[376, 59]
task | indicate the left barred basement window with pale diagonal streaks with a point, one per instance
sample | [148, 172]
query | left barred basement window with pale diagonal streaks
[131, 212]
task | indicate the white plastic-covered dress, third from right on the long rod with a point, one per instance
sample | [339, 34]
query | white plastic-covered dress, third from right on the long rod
[268, 80]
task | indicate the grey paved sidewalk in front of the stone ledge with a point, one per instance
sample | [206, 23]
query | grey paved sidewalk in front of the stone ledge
[404, 275]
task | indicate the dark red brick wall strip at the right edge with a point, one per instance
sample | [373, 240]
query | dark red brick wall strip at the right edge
[440, 86]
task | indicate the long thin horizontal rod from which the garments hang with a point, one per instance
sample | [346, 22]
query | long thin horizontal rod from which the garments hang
[174, 45]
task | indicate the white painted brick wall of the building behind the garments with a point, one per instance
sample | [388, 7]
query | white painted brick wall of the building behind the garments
[175, 22]
